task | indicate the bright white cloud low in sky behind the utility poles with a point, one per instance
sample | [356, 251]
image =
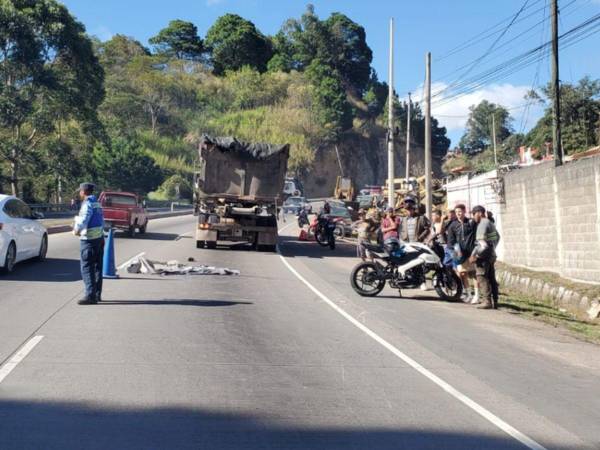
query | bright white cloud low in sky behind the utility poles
[454, 114]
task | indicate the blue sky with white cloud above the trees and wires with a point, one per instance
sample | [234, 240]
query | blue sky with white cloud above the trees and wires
[436, 26]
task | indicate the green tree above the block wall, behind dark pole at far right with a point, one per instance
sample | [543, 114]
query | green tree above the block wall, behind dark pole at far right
[580, 116]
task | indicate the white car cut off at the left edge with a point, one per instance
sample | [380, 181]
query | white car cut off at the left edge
[21, 236]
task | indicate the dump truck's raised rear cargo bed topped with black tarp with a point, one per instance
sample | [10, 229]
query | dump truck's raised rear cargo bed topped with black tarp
[231, 168]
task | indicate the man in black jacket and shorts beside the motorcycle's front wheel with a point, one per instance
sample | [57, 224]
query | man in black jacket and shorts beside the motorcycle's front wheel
[461, 240]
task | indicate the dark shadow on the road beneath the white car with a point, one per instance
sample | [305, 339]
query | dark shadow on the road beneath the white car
[52, 269]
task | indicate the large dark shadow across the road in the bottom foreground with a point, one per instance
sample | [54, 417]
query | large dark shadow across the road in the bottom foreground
[61, 425]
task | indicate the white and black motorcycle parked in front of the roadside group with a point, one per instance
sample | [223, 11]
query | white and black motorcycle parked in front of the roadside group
[405, 266]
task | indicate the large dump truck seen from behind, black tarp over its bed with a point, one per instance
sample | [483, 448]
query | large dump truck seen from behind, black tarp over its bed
[238, 190]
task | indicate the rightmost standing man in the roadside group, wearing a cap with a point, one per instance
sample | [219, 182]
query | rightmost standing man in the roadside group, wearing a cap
[484, 257]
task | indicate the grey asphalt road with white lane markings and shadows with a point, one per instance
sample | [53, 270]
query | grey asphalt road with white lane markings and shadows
[284, 356]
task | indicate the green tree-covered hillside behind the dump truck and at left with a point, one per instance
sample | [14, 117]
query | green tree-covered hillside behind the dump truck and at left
[128, 115]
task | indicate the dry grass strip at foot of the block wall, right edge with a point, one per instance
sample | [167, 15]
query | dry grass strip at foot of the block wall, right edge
[538, 310]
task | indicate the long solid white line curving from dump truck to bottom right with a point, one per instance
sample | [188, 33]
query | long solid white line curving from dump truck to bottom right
[525, 440]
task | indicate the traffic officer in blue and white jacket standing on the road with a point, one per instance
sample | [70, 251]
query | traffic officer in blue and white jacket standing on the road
[89, 226]
